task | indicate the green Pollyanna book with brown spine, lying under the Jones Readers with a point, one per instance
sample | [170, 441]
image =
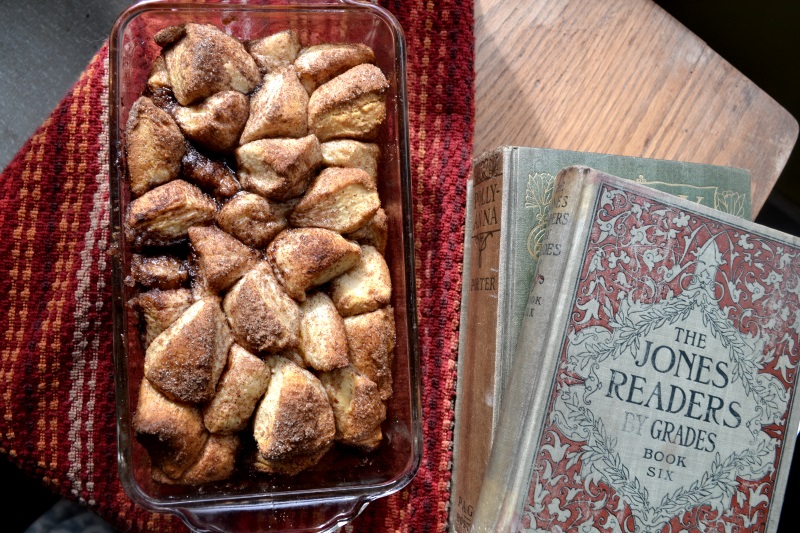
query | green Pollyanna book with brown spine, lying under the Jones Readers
[506, 217]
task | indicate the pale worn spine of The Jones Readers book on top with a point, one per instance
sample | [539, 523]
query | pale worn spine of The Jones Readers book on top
[507, 477]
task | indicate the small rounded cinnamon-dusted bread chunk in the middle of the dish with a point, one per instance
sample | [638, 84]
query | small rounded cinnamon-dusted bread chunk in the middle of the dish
[252, 219]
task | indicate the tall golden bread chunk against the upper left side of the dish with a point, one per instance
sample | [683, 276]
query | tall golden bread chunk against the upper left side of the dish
[154, 146]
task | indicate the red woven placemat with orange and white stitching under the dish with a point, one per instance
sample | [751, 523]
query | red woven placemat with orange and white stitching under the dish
[57, 411]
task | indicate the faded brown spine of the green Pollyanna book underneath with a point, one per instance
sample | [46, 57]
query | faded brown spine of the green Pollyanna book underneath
[478, 336]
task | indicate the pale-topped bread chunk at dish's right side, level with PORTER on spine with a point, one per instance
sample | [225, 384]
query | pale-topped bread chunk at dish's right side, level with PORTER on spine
[365, 287]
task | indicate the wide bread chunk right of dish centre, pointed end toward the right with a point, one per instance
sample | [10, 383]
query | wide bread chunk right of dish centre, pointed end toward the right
[303, 258]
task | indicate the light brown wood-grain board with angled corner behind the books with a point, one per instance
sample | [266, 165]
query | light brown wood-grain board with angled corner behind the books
[620, 77]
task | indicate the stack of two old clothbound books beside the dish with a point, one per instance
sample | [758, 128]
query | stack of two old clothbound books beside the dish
[629, 346]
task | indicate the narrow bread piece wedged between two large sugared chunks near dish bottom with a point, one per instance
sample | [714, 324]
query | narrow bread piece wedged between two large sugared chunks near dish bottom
[243, 383]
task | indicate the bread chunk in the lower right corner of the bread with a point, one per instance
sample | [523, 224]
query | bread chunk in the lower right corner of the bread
[357, 405]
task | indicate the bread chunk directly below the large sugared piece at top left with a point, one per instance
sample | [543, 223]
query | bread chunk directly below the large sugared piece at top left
[216, 122]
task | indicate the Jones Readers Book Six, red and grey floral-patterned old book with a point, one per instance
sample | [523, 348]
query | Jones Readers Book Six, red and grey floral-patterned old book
[653, 388]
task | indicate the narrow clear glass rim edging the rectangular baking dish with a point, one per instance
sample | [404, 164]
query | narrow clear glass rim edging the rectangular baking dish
[359, 494]
